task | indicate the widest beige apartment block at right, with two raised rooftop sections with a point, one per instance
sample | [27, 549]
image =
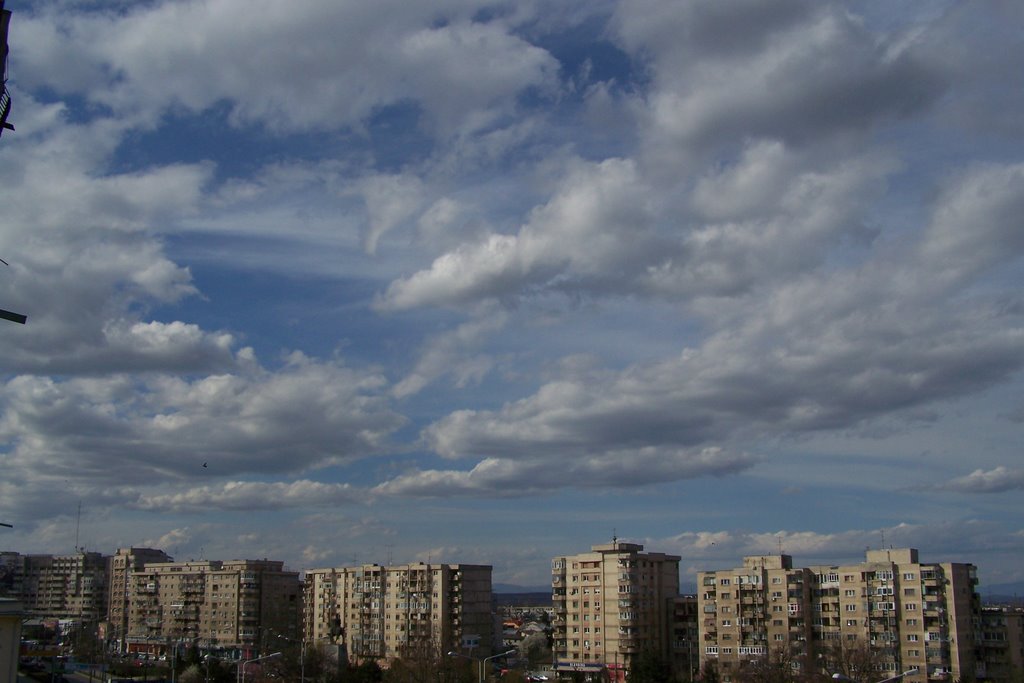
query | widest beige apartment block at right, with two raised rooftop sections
[898, 613]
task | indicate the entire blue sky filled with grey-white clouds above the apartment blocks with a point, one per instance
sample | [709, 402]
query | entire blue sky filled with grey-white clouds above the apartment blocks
[494, 281]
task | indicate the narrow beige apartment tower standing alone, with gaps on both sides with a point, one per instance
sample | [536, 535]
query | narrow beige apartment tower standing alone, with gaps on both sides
[611, 605]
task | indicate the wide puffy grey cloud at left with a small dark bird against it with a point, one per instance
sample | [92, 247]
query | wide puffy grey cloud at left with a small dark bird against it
[154, 429]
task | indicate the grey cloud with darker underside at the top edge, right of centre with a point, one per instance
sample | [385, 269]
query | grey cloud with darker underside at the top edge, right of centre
[794, 71]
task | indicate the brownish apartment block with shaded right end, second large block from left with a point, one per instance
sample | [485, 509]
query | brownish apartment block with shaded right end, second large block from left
[237, 606]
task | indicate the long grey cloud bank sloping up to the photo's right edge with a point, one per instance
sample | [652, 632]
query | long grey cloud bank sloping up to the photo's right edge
[829, 351]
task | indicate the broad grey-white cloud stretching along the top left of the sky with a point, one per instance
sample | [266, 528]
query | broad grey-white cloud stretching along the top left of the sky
[355, 60]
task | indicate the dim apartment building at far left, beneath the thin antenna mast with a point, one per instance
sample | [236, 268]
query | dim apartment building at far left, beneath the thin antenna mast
[70, 588]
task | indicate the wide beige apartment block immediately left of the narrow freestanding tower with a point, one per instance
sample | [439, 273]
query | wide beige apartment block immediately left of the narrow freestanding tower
[387, 613]
